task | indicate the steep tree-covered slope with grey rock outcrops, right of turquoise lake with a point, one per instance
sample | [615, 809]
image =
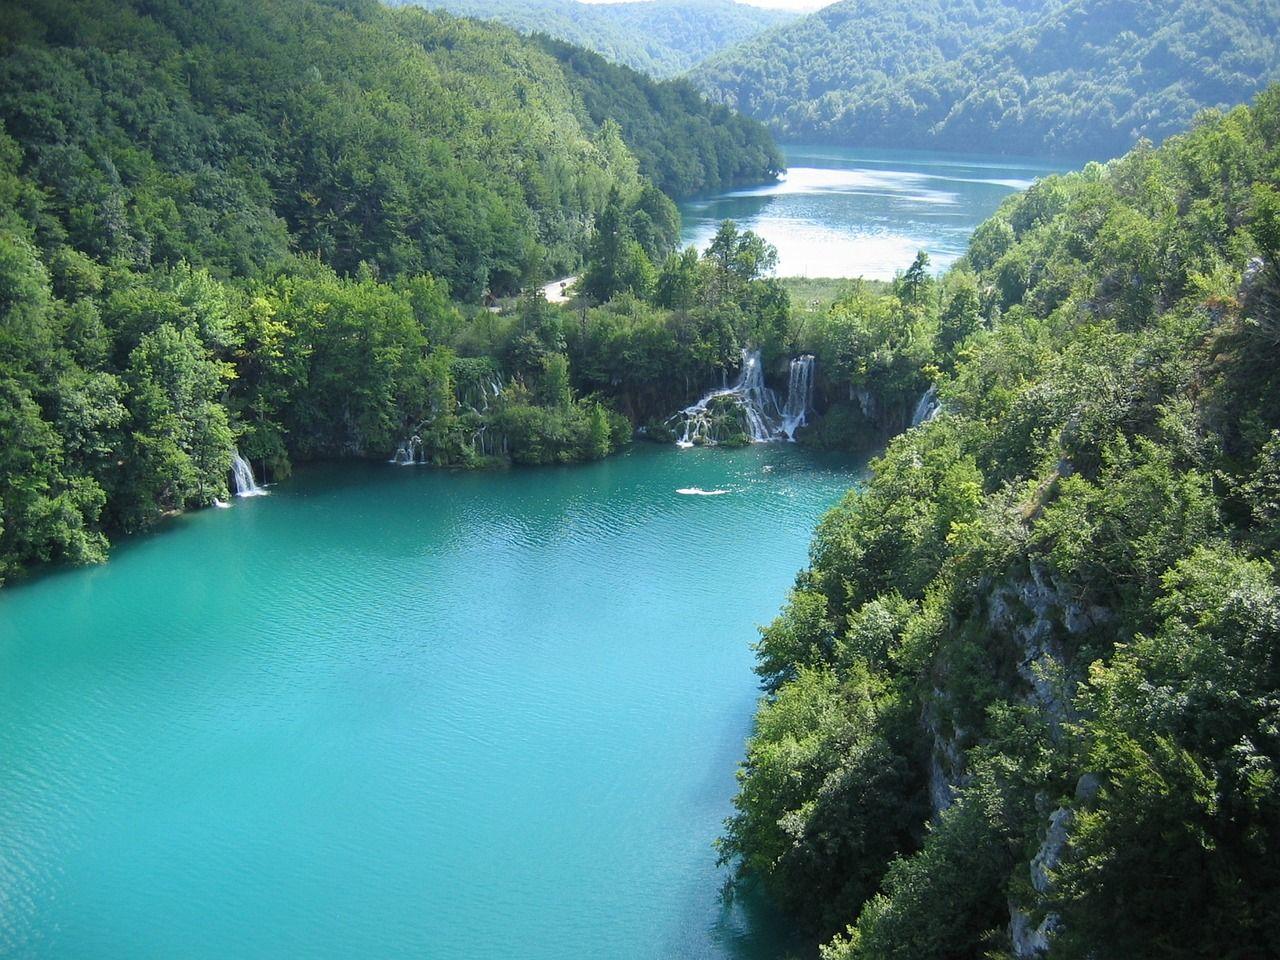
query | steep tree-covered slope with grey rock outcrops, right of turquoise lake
[1025, 701]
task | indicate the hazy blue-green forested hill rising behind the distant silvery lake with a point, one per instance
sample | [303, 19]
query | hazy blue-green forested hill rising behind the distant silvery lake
[1076, 79]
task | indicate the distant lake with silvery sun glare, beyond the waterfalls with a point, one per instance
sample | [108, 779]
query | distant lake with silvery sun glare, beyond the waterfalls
[866, 213]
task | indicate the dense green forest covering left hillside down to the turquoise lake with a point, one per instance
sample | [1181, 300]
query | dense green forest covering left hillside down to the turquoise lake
[269, 226]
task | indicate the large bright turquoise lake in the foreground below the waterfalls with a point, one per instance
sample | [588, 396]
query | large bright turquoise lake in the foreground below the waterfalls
[396, 712]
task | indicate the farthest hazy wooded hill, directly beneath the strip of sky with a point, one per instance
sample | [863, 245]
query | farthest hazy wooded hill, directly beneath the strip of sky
[660, 38]
